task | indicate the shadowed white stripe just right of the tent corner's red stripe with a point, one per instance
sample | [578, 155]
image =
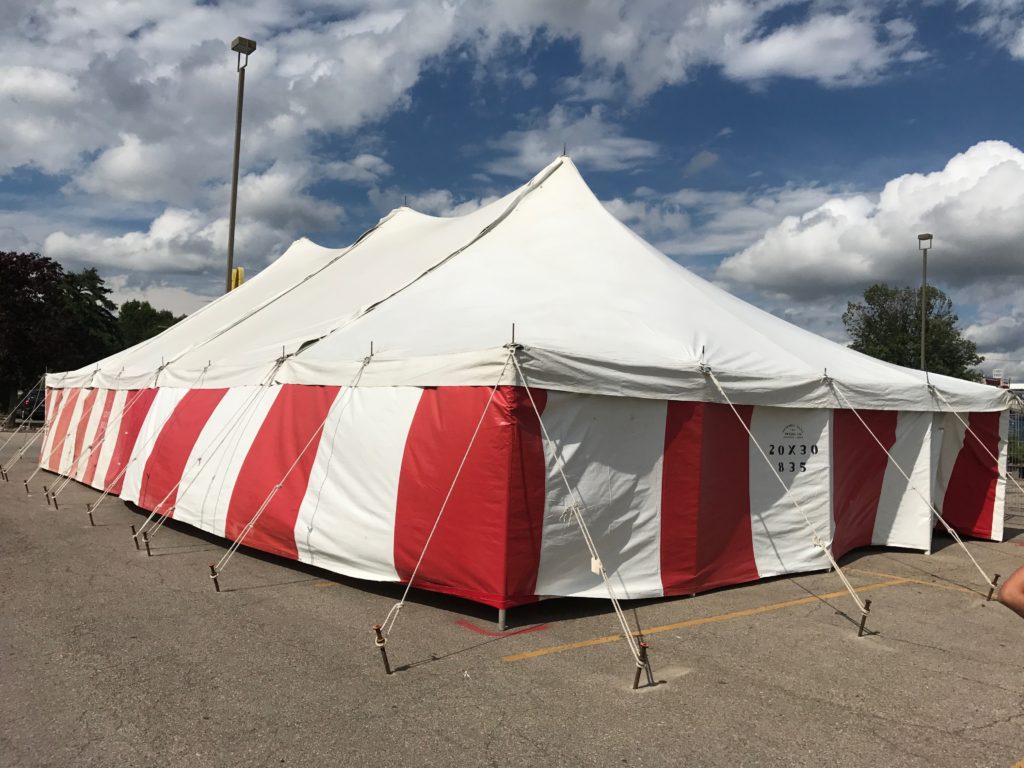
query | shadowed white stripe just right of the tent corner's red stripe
[613, 450]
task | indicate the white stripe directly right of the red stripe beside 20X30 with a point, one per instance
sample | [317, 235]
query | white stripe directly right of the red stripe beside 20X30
[904, 519]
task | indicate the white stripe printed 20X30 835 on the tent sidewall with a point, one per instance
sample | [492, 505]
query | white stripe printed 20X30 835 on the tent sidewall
[797, 442]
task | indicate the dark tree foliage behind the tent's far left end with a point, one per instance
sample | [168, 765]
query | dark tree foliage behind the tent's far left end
[52, 320]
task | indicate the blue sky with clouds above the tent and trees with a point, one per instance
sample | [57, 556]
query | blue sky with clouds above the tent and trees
[789, 151]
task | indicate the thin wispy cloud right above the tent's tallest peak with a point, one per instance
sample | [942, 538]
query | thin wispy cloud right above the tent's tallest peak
[588, 138]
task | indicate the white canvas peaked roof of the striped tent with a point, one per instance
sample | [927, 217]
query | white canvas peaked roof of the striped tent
[598, 310]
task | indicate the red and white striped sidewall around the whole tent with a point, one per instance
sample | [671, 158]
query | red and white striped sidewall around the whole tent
[677, 497]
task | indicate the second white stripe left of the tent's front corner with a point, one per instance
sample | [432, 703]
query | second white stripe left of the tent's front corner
[209, 477]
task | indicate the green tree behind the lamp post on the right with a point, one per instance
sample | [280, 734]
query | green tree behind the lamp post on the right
[887, 325]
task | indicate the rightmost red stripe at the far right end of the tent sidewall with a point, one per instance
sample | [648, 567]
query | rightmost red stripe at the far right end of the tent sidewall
[970, 500]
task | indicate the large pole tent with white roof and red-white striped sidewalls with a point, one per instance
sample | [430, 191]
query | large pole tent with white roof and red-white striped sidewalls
[522, 367]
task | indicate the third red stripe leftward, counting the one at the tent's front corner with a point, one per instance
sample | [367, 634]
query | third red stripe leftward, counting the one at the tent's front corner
[166, 462]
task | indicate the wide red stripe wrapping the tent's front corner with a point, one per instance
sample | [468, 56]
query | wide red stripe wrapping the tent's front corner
[488, 544]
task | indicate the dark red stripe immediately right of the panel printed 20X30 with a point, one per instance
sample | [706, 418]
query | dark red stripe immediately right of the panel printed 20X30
[859, 472]
